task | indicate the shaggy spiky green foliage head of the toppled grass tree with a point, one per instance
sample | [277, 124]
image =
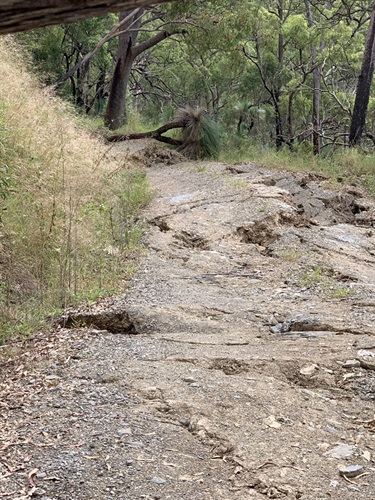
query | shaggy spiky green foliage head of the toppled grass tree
[200, 134]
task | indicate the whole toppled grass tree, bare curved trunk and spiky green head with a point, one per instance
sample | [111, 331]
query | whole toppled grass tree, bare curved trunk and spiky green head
[200, 136]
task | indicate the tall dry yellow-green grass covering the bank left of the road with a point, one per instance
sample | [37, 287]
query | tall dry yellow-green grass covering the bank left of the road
[69, 211]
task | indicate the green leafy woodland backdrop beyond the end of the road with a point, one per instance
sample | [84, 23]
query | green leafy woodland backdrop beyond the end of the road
[283, 72]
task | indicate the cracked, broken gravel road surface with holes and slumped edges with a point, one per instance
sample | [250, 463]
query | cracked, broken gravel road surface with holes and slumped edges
[240, 364]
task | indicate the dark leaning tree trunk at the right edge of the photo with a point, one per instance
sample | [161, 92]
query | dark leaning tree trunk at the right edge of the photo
[362, 97]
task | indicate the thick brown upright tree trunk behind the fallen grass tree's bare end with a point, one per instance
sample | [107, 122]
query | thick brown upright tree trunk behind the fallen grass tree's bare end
[115, 113]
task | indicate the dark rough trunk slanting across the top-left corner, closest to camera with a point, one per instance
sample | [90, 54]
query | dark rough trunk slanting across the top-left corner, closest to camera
[20, 15]
